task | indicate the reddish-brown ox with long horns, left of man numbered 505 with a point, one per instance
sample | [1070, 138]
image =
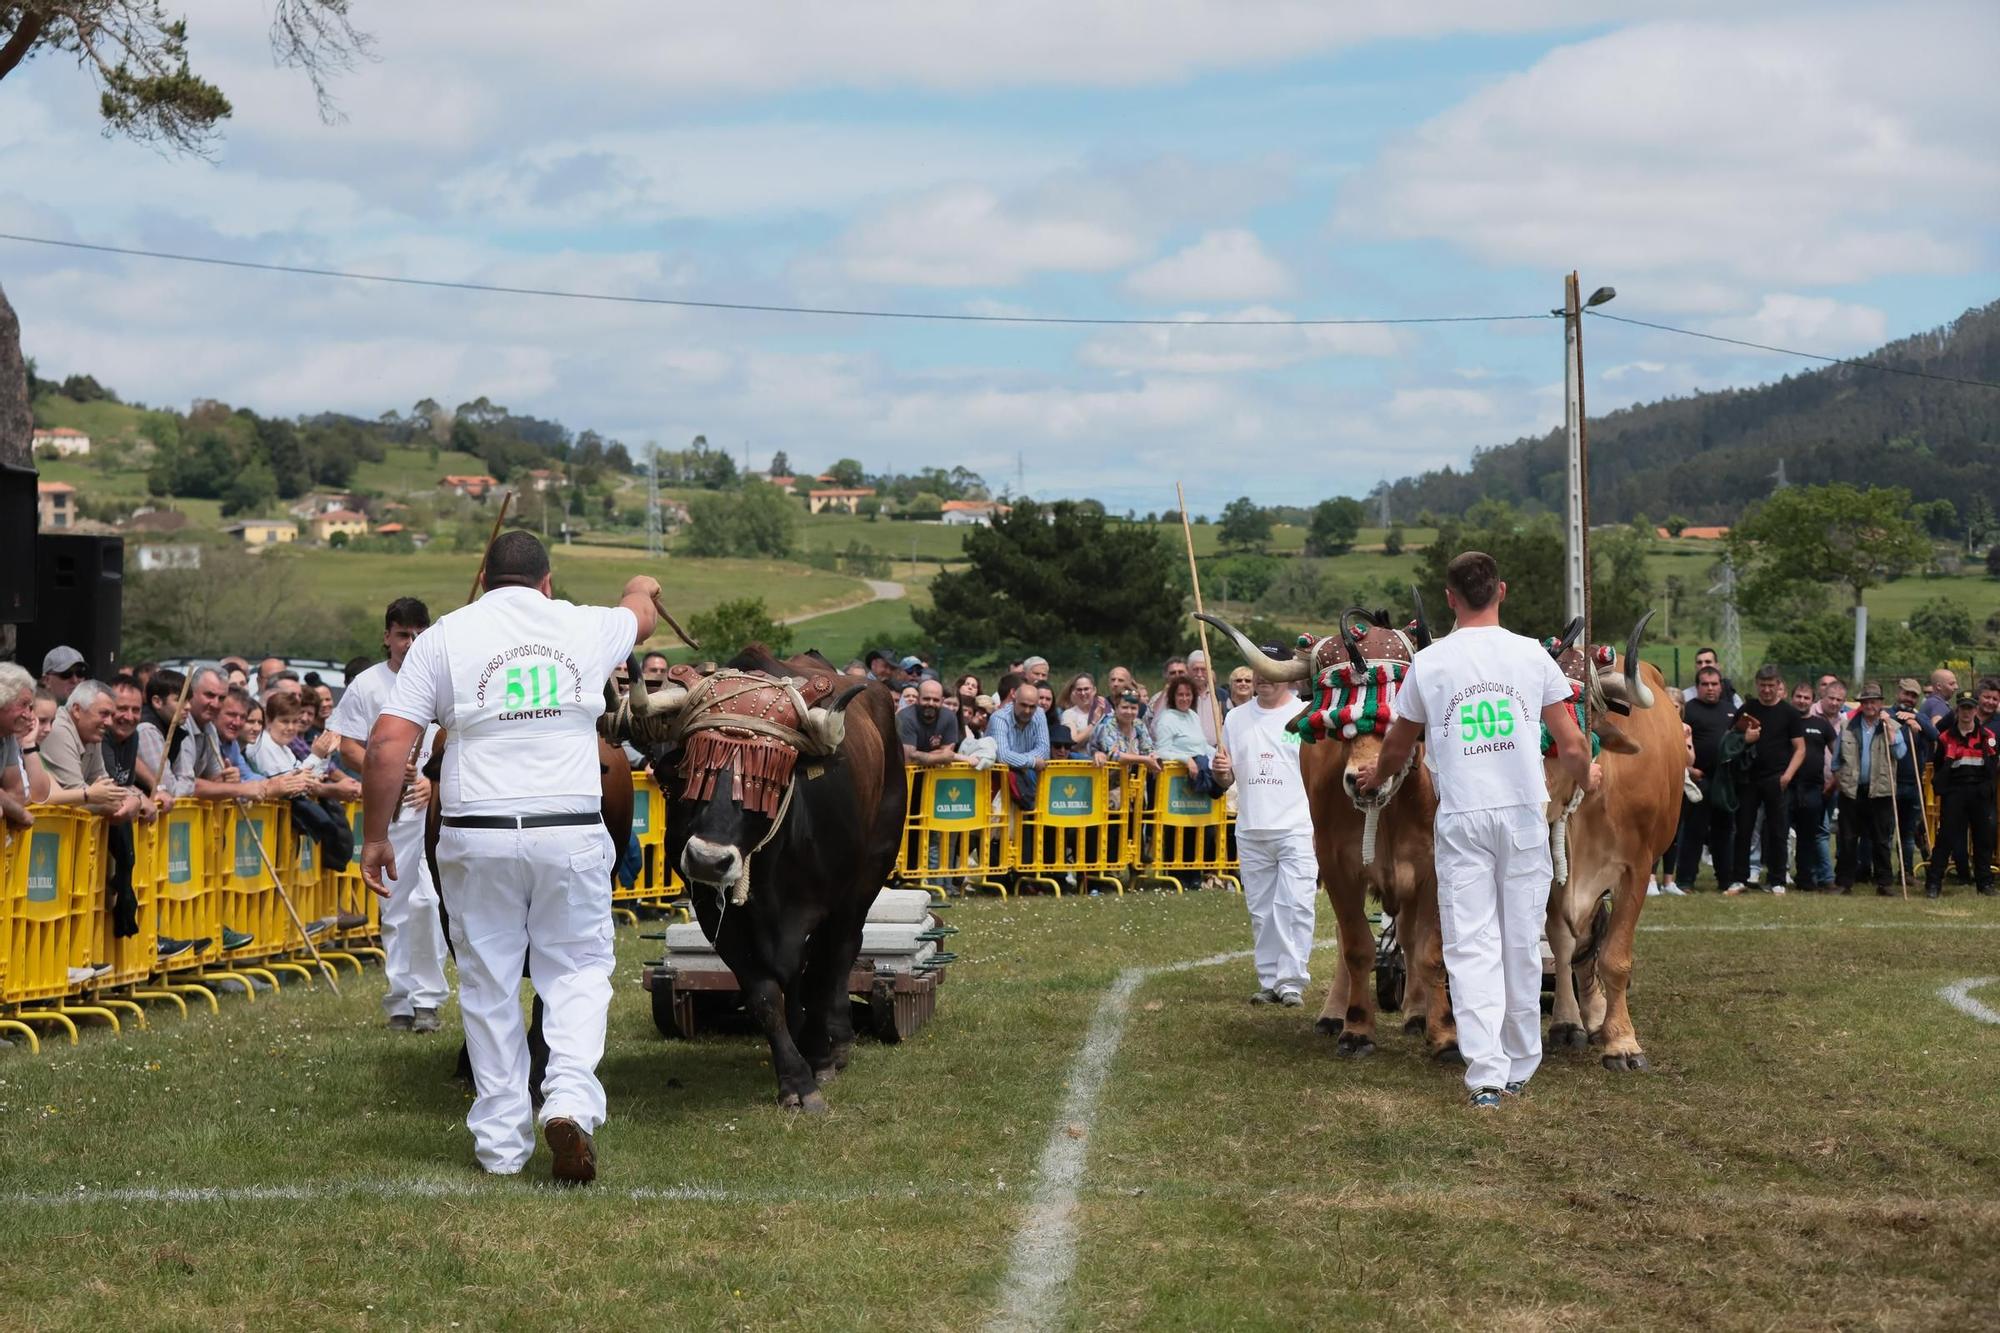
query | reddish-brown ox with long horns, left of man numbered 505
[1379, 844]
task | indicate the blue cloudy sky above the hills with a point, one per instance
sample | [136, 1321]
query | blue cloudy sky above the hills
[1811, 175]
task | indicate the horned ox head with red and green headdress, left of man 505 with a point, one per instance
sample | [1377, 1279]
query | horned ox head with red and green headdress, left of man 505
[1371, 647]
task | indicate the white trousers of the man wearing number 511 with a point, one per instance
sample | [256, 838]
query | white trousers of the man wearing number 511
[539, 898]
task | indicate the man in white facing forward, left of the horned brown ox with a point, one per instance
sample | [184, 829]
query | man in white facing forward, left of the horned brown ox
[1273, 838]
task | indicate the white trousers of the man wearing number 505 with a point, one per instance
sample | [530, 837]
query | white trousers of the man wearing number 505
[1493, 906]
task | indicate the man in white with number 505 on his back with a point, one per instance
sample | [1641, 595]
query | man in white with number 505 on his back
[1475, 700]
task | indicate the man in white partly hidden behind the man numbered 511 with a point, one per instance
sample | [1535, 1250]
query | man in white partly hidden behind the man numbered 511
[413, 936]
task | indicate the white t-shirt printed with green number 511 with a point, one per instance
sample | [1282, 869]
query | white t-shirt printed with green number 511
[517, 680]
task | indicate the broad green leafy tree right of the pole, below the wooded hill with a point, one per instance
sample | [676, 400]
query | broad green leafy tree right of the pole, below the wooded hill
[1809, 537]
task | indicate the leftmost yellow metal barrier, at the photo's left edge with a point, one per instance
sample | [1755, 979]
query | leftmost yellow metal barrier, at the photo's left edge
[49, 920]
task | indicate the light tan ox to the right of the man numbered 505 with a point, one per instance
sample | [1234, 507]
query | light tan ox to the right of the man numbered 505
[1615, 836]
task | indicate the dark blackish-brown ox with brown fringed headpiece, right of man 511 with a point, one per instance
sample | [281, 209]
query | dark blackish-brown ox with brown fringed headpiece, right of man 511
[785, 818]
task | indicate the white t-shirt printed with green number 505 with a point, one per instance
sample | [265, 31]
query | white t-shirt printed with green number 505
[1479, 696]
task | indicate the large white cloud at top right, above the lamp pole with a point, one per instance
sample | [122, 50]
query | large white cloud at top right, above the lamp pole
[1683, 161]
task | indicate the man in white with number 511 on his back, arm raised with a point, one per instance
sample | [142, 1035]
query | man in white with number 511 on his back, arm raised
[517, 680]
